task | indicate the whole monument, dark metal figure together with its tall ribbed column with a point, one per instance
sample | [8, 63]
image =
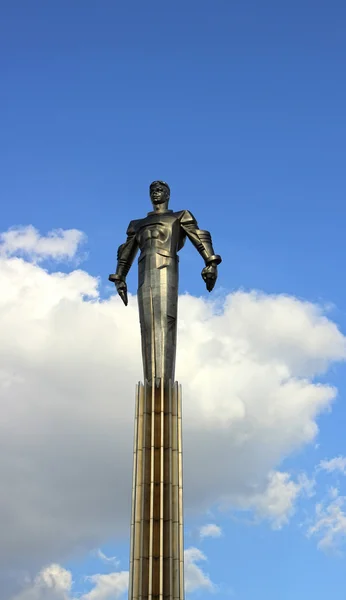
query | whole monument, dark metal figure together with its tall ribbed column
[157, 550]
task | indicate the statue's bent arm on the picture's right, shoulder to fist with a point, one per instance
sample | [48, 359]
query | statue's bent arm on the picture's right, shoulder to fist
[202, 241]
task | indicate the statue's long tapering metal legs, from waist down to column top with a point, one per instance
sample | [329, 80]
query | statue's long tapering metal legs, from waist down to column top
[157, 300]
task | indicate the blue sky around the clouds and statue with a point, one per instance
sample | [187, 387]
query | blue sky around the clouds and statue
[240, 106]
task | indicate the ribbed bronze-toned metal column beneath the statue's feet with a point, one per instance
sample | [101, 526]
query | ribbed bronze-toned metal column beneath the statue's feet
[157, 546]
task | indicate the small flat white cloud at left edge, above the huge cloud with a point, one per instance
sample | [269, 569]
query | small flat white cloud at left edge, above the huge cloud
[58, 244]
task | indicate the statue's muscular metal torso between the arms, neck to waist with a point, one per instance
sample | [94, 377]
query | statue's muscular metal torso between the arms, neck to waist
[160, 233]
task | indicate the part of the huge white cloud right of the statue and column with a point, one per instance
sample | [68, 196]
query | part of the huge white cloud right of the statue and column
[249, 379]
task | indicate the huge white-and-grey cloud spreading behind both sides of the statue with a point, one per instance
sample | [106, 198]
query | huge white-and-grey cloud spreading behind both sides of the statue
[69, 361]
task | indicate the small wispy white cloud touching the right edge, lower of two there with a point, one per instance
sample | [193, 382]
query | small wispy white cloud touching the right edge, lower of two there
[329, 526]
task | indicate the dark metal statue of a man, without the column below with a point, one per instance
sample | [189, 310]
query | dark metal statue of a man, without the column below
[159, 236]
